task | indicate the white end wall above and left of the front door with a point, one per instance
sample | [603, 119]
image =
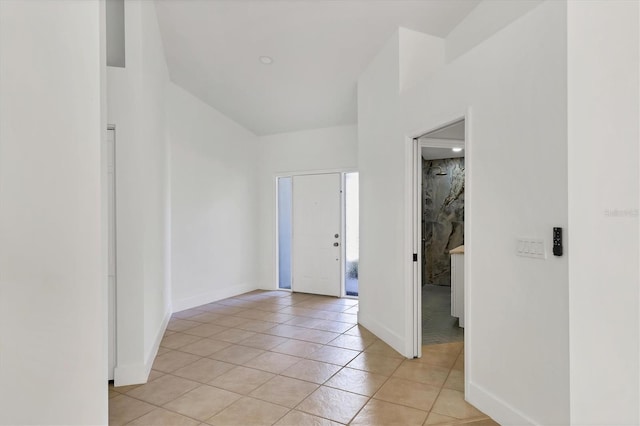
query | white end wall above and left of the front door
[333, 148]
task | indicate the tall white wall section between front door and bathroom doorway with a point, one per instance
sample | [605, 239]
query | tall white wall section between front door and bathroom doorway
[381, 157]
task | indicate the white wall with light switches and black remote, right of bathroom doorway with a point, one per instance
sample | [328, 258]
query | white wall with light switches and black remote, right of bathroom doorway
[515, 84]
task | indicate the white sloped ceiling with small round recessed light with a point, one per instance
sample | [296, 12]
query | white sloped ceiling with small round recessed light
[318, 47]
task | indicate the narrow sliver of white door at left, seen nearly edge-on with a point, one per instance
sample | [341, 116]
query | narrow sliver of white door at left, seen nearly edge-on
[111, 190]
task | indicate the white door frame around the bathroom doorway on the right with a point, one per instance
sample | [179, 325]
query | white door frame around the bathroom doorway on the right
[414, 190]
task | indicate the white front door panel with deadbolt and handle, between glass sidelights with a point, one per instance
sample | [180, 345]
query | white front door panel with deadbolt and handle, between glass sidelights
[316, 234]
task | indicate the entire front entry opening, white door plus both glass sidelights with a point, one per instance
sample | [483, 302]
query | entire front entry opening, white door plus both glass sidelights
[317, 247]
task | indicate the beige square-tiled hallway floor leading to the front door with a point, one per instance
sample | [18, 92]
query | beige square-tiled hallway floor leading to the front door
[285, 358]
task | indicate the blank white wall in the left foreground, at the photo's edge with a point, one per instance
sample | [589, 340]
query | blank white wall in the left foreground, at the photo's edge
[52, 251]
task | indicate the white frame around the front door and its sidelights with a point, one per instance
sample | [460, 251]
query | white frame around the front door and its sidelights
[276, 259]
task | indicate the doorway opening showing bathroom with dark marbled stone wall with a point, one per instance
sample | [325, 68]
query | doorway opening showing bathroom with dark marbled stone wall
[440, 203]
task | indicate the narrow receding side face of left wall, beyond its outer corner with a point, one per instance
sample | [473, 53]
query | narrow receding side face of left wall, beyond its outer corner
[153, 130]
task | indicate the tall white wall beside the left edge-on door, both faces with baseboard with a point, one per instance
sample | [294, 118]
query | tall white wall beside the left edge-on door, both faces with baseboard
[136, 108]
